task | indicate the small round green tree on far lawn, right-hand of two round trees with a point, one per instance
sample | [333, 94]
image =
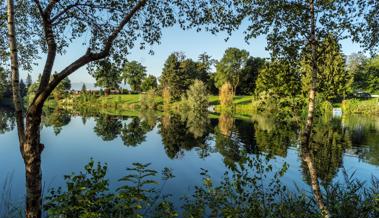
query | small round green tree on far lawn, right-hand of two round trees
[133, 73]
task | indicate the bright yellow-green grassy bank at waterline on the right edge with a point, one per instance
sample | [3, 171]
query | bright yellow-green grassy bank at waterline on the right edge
[356, 106]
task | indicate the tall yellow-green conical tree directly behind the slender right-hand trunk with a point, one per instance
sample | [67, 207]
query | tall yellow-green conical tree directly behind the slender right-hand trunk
[334, 82]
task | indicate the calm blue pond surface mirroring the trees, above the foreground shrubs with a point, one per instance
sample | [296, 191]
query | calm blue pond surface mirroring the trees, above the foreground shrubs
[188, 143]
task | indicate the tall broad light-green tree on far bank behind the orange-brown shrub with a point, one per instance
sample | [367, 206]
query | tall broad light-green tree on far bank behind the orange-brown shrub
[230, 67]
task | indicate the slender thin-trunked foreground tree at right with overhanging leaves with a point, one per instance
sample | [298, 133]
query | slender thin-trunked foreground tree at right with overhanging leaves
[291, 26]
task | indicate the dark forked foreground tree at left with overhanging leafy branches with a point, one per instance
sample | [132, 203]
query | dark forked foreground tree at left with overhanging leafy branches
[49, 27]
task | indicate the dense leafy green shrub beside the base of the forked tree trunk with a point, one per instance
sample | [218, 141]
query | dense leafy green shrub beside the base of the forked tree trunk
[86, 194]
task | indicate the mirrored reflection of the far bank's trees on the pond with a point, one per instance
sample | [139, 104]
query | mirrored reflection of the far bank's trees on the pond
[236, 140]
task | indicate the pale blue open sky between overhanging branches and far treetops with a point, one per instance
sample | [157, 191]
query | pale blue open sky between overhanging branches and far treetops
[190, 42]
